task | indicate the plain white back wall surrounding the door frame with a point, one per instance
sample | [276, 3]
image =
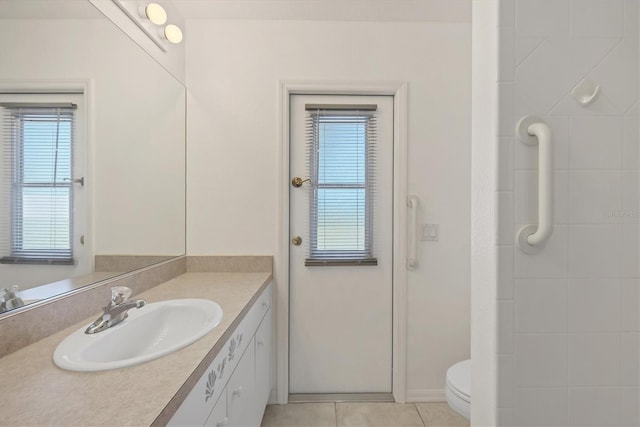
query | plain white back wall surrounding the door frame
[233, 70]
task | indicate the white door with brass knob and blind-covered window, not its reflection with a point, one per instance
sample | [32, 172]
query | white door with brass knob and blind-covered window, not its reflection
[340, 307]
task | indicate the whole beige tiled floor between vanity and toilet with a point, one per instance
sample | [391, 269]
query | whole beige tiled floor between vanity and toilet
[362, 415]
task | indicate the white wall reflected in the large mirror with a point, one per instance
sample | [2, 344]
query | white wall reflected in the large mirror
[136, 162]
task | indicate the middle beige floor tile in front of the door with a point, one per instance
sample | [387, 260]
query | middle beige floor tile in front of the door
[377, 414]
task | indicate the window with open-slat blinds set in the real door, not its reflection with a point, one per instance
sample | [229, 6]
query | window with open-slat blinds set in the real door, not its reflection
[341, 166]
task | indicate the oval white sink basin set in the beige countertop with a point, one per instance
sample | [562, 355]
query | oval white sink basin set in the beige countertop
[152, 331]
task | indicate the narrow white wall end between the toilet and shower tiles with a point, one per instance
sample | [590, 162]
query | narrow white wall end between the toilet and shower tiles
[484, 274]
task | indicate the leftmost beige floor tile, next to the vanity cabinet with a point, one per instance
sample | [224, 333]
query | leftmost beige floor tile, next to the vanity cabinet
[300, 415]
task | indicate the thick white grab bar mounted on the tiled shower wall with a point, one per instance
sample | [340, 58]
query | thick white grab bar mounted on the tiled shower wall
[533, 130]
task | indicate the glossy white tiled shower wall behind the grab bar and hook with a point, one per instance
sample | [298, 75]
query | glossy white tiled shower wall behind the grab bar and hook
[568, 347]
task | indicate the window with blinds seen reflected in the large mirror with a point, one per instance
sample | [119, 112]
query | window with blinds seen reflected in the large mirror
[37, 164]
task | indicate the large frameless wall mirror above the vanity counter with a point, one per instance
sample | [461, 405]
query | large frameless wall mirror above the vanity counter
[128, 179]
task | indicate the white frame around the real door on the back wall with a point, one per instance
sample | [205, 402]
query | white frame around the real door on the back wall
[281, 268]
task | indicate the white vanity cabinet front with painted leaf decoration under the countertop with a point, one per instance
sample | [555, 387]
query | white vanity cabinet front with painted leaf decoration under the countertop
[235, 387]
